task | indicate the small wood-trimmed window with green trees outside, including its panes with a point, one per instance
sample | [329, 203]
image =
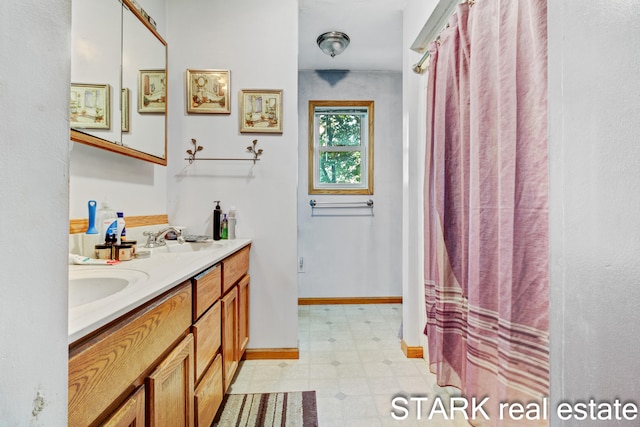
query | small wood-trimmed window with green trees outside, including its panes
[340, 147]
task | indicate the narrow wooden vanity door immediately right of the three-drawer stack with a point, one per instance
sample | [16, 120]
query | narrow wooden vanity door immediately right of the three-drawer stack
[229, 335]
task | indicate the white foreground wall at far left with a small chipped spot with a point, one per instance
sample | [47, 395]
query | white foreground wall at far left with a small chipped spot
[34, 136]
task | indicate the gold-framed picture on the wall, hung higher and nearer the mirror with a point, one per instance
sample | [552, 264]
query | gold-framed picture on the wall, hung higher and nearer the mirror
[208, 91]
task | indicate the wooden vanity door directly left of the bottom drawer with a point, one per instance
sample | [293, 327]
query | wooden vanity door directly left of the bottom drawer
[170, 388]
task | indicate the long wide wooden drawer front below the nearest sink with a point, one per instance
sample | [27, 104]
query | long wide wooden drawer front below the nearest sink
[103, 368]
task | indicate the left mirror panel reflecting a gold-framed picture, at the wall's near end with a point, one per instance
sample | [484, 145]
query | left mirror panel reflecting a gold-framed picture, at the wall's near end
[95, 68]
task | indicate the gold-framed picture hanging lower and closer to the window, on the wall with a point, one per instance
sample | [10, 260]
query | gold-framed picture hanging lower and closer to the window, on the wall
[261, 111]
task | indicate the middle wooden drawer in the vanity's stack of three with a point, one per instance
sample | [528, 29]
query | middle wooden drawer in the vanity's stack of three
[207, 333]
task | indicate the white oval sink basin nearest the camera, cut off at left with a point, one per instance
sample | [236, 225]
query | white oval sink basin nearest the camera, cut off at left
[89, 285]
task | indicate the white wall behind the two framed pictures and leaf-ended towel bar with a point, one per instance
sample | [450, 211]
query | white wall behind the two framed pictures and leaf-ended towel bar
[257, 42]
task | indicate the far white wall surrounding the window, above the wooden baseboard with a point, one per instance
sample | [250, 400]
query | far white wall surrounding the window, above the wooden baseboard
[353, 256]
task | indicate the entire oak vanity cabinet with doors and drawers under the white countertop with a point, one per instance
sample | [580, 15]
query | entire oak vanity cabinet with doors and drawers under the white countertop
[168, 362]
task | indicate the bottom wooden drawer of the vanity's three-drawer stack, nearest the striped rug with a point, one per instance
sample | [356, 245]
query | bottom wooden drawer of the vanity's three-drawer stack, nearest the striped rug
[209, 394]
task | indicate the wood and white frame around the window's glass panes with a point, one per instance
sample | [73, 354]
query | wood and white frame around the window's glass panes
[366, 187]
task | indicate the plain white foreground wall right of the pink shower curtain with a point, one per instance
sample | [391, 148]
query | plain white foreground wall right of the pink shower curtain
[594, 111]
